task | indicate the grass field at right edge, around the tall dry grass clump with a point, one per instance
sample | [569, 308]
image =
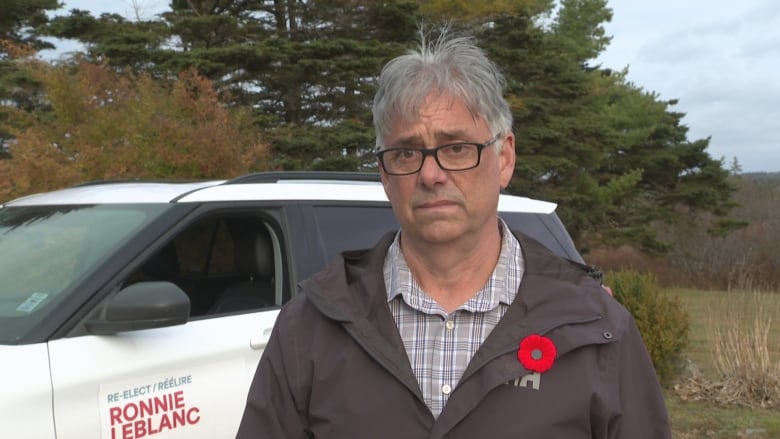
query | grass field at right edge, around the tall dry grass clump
[708, 310]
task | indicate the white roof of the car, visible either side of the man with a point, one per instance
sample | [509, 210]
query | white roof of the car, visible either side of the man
[300, 186]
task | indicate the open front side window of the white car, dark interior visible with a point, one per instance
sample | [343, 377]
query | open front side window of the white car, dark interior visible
[224, 263]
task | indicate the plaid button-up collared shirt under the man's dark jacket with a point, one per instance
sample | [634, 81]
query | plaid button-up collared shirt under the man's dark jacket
[440, 345]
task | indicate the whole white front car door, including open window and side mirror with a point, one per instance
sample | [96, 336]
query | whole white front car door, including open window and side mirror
[182, 381]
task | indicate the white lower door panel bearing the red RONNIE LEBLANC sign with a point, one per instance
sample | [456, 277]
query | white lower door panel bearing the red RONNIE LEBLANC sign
[176, 370]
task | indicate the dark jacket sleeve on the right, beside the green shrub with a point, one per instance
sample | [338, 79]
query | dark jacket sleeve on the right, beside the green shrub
[642, 409]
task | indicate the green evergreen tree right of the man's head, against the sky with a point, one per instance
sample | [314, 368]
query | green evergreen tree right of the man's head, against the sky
[613, 157]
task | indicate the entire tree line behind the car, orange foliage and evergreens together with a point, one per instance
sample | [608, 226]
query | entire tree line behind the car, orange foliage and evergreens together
[215, 88]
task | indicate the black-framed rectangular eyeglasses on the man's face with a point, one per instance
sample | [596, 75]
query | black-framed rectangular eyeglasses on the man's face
[452, 157]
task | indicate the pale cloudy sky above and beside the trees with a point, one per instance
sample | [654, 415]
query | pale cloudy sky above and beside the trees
[719, 58]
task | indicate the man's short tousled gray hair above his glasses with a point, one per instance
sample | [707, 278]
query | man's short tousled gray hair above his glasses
[448, 65]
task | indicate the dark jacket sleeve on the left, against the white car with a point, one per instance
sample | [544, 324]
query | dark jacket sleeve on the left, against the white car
[273, 410]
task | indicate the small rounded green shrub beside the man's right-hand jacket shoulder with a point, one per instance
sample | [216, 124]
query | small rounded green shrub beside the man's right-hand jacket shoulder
[661, 319]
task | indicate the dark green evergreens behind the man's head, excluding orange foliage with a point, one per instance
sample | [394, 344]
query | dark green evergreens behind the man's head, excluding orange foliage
[614, 157]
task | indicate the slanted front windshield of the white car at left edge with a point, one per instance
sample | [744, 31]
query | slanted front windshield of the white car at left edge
[46, 250]
